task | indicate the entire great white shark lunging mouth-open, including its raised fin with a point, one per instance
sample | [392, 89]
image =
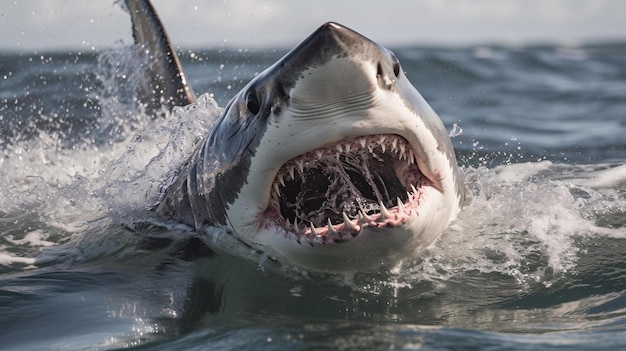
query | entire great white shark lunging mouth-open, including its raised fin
[329, 160]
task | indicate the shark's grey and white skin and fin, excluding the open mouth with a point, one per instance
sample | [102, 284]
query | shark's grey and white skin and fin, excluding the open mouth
[230, 175]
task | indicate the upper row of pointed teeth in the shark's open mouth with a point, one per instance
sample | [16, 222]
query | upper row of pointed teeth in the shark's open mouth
[394, 143]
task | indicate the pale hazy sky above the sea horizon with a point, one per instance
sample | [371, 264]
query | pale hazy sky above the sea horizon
[44, 25]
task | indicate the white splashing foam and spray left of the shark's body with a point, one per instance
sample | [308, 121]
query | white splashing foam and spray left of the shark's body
[55, 194]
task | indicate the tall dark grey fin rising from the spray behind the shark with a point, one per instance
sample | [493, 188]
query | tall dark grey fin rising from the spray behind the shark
[165, 83]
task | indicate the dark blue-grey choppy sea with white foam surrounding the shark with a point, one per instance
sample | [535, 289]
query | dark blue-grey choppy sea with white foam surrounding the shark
[537, 261]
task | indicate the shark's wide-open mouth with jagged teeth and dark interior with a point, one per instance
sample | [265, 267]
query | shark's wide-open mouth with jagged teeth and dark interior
[333, 192]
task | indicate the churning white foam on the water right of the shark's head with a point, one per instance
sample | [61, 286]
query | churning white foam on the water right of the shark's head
[524, 221]
